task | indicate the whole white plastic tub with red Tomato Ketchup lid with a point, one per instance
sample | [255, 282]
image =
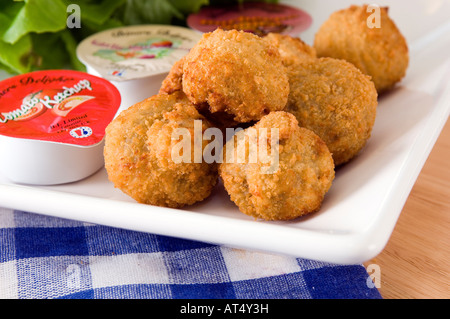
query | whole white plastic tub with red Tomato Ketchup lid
[52, 125]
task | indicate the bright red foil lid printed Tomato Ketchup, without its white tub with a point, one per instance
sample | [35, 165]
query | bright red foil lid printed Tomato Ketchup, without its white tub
[57, 106]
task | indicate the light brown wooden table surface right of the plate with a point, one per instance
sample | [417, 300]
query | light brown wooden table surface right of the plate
[415, 264]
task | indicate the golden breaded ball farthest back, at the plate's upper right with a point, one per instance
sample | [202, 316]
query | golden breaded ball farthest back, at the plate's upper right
[380, 52]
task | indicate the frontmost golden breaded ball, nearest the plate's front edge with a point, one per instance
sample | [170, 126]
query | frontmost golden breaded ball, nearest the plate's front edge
[290, 182]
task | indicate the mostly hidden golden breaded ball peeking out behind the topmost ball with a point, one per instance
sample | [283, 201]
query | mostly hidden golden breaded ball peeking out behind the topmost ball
[292, 50]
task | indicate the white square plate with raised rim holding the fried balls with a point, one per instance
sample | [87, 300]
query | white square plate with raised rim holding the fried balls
[367, 196]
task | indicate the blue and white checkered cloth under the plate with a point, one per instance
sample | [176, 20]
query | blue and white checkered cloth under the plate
[44, 257]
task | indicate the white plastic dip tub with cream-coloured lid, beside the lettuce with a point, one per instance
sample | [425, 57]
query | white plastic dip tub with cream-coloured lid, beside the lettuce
[136, 59]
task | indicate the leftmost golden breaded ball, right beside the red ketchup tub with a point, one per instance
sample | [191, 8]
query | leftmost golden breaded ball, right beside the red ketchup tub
[143, 160]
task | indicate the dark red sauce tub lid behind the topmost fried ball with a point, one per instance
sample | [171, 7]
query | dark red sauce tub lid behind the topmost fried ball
[256, 17]
